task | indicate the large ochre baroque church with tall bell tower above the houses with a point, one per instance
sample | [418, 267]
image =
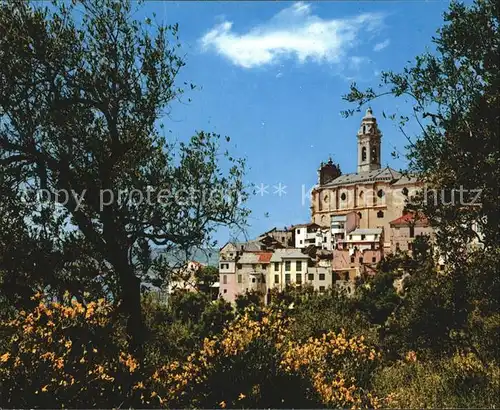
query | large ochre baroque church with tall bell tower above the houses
[376, 194]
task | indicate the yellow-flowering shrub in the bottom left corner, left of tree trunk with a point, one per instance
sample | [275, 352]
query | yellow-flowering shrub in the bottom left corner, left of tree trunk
[64, 354]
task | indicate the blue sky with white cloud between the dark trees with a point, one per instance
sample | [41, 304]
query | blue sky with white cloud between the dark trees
[271, 76]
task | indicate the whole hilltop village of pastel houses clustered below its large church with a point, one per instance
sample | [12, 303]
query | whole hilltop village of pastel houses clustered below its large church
[356, 219]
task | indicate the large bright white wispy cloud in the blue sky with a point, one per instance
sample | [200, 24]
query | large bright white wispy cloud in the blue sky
[294, 32]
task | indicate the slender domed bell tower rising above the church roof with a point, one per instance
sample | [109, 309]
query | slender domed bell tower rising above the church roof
[368, 143]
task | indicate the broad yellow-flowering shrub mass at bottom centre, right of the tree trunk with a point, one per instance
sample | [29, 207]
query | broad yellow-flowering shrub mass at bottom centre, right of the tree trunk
[256, 363]
